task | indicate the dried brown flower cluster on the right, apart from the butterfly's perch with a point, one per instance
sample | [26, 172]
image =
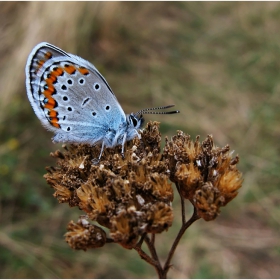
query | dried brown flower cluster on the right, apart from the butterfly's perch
[204, 174]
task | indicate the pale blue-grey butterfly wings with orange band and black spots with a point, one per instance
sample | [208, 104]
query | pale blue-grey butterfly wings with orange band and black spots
[70, 96]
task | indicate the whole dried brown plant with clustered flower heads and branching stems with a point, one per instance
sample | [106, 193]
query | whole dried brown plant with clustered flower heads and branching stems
[129, 200]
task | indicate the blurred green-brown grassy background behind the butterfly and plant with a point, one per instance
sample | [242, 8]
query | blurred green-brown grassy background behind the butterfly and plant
[219, 62]
